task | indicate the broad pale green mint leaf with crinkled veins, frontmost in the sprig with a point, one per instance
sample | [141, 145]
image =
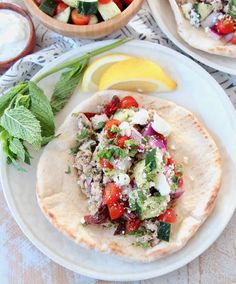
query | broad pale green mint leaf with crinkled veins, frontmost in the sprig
[22, 124]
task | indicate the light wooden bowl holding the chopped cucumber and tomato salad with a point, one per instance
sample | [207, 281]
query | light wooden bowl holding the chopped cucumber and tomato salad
[87, 32]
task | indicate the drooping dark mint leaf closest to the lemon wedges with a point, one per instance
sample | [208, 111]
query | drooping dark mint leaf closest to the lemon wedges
[66, 85]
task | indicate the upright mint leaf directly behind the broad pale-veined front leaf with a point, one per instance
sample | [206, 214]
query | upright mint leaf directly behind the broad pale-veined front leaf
[41, 108]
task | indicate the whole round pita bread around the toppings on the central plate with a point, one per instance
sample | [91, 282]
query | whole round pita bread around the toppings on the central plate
[64, 204]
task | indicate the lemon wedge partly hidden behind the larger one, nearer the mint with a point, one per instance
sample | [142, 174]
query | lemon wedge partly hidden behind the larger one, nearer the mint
[96, 69]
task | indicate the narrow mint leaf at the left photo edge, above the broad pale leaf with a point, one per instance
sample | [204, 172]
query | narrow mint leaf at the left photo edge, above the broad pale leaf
[6, 98]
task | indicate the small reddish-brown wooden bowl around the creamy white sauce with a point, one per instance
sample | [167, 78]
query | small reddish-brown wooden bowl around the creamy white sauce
[32, 38]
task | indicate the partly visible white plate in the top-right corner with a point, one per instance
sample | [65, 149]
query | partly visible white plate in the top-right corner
[165, 19]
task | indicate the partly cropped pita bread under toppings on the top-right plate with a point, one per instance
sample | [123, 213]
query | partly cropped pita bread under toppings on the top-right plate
[198, 38]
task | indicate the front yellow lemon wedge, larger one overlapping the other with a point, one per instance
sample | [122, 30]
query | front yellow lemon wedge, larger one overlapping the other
[136, 74]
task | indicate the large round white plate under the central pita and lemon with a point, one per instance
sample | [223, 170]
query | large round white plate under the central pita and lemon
[197, 91]
